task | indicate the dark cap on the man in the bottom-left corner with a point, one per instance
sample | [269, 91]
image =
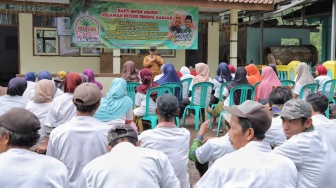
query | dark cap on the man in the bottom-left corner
[20, 120]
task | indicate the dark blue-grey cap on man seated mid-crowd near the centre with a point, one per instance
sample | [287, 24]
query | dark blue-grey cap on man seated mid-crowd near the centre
[167, 104]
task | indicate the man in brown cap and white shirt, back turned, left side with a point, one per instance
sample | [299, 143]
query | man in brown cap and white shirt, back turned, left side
[83, 138]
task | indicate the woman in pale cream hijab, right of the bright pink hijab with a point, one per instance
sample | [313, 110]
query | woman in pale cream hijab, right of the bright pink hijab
[303, 78]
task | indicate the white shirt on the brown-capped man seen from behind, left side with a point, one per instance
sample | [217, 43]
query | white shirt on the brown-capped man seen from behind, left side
[77, 142]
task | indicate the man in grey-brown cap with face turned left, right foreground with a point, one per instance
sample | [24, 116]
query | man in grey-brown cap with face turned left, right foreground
[253, 164]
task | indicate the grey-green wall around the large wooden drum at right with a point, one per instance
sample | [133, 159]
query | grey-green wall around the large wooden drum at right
[272, 37]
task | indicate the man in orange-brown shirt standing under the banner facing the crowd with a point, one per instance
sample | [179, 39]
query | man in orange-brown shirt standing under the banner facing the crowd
[153, 62]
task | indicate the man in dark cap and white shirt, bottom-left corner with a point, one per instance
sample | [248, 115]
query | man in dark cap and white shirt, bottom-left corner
[20, 167]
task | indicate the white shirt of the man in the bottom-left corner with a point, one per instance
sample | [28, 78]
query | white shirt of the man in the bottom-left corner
[23, 168]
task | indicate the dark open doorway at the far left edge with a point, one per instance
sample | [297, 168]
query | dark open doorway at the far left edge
[9, 54]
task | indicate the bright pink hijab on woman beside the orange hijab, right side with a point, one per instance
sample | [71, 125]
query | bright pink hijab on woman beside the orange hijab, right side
[266, 85]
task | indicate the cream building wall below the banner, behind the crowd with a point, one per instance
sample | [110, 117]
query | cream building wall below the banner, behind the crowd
[29, 62]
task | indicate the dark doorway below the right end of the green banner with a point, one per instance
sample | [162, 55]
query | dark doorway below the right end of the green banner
[199, 55]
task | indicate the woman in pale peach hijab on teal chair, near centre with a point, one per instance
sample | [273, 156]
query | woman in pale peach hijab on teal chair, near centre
[203, 75]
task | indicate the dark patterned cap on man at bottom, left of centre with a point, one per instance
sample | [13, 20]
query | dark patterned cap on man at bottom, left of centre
[121, 131]
